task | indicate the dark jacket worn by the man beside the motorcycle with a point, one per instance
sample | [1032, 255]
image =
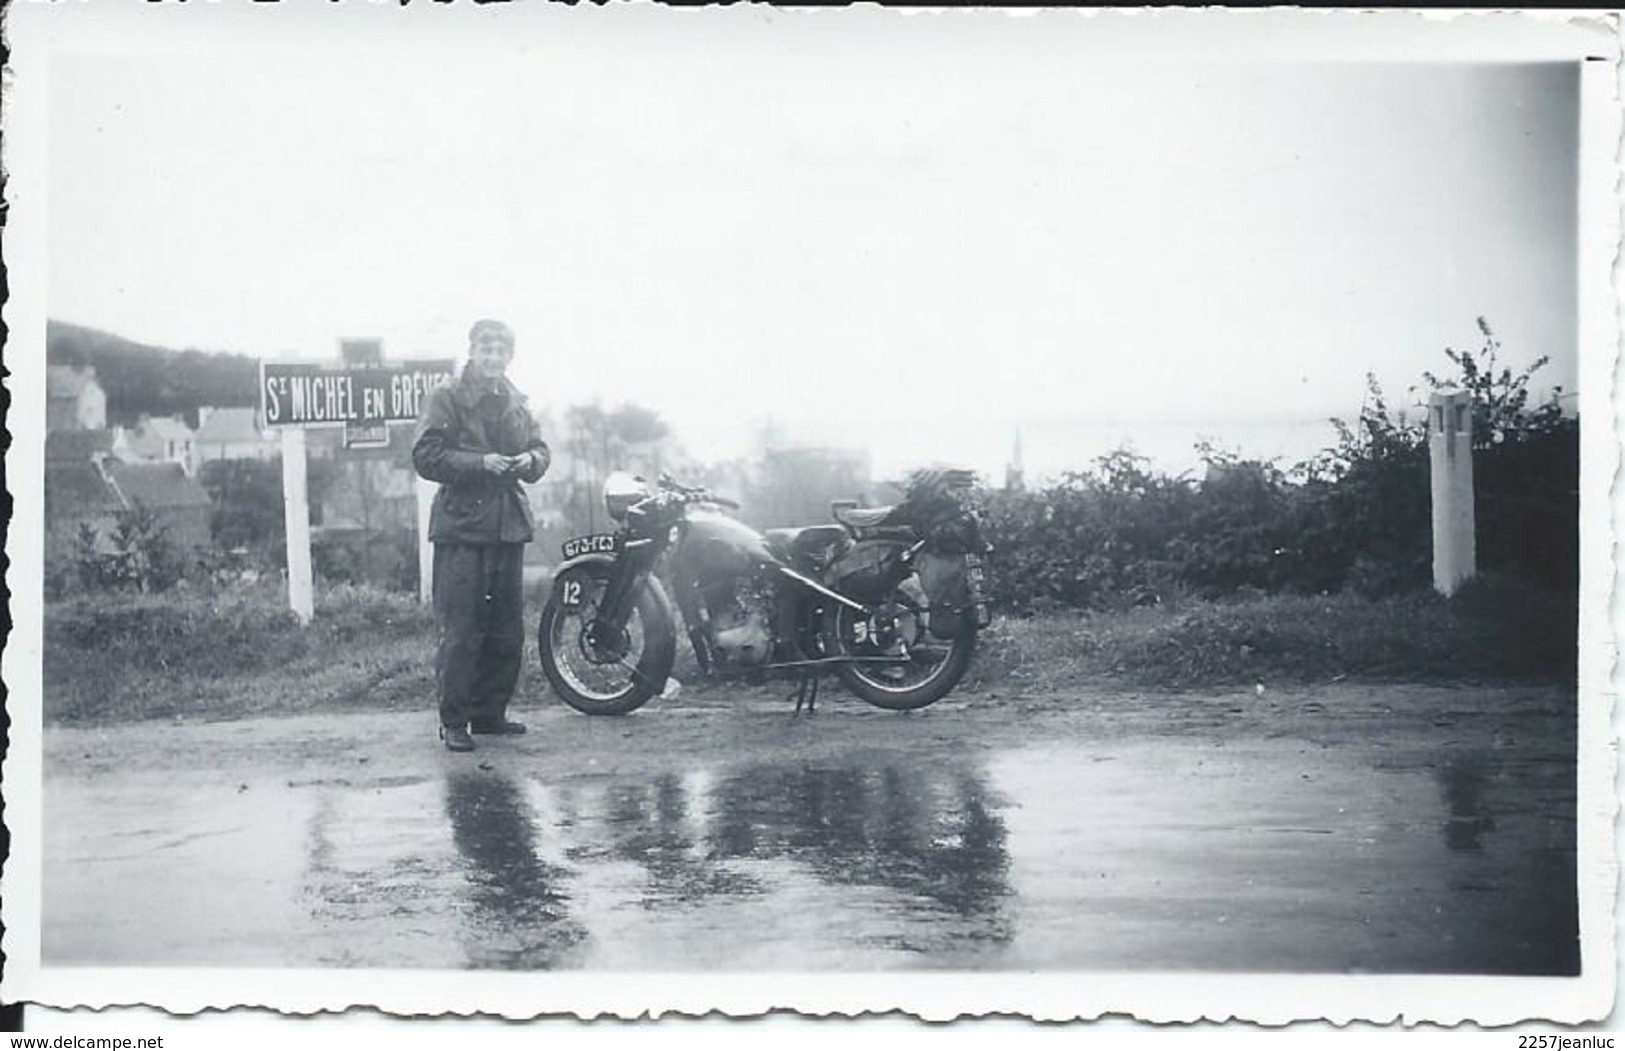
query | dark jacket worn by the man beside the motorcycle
[459, 425]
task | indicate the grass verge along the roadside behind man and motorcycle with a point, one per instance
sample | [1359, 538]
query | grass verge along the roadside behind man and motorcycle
[233, 654]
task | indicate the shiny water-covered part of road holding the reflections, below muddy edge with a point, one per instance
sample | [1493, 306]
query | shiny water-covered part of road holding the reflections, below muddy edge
[1142, 855]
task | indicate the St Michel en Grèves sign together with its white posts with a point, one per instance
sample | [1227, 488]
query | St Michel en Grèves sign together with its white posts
[362, 397]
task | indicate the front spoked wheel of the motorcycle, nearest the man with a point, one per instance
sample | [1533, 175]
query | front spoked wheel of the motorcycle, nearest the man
[618, 677]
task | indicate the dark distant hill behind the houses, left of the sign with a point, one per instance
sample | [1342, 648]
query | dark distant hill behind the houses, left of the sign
[154, 381]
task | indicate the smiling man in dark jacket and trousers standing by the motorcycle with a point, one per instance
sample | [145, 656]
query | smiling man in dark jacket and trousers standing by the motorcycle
[479, 439]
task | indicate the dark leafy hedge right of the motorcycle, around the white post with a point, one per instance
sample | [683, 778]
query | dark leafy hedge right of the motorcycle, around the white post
[1358, 517]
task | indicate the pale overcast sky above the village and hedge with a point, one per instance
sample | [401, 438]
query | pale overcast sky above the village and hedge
[912, 240]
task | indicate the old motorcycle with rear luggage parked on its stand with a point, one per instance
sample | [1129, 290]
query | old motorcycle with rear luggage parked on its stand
[886, 599]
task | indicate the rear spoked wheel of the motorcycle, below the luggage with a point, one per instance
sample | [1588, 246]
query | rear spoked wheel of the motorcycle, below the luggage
[934, 668]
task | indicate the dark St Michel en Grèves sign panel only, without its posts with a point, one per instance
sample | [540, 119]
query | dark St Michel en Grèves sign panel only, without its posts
[314, 396]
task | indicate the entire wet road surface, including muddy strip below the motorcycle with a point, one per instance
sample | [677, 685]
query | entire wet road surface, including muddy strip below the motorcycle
[1380, 831]
